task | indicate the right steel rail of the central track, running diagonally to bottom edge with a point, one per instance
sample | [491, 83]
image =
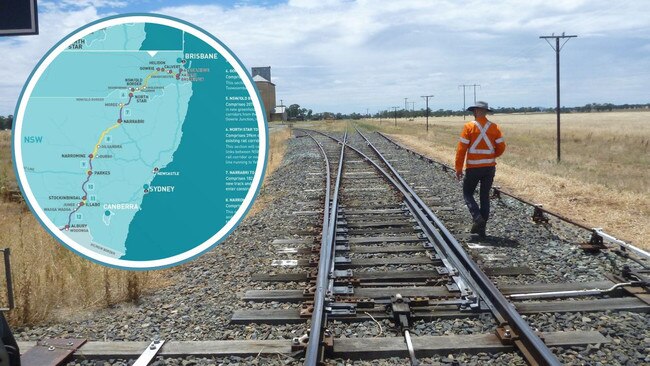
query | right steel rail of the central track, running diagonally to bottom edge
[532, 343]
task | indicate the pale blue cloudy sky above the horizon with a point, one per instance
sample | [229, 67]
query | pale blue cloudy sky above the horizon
[346, 56]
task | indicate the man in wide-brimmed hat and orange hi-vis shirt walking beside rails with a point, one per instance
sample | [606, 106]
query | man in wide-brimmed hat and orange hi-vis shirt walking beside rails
[481, 141]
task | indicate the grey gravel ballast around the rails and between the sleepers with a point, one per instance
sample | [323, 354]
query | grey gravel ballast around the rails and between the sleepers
[205, 292]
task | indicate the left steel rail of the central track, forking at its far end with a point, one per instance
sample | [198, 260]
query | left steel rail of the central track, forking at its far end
[313, 353]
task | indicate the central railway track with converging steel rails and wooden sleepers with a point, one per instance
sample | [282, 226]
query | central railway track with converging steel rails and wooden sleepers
[384, 254]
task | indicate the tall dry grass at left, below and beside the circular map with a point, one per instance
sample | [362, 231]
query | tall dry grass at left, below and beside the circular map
[50, 282]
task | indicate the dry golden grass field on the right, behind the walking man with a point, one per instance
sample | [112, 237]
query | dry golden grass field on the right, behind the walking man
[602, 180]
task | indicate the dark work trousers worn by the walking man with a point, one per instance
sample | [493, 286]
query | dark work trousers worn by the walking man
[484, 175]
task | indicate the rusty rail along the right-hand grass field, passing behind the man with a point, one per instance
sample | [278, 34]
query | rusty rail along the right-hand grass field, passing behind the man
[594, 230]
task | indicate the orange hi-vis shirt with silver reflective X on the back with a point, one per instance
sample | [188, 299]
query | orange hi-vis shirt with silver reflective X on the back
[482, 142]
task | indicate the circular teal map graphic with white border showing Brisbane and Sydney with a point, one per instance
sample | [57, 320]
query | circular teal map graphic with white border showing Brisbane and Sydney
[139, 141]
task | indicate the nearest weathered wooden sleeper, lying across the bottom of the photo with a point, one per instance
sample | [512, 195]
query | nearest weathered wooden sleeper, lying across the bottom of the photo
[347, 348]
